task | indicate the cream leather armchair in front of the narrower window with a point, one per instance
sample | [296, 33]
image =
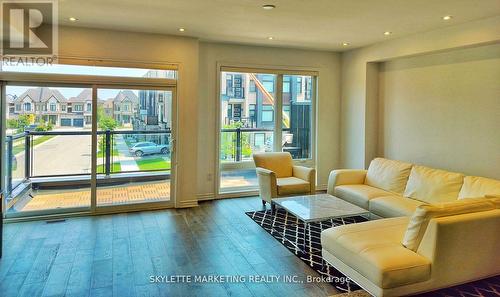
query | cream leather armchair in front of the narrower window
[279, 177]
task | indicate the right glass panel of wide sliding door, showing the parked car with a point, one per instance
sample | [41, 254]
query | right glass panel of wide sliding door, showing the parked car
[134, 146]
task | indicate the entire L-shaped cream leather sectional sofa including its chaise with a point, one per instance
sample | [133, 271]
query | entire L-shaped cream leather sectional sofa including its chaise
[437, 232]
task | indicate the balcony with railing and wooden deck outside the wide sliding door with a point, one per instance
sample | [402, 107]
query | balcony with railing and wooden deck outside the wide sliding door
[52, 170]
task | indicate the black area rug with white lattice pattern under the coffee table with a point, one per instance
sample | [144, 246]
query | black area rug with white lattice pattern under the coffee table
[289, 231]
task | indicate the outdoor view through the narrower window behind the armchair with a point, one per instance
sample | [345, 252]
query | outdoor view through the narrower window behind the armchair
[248, 122]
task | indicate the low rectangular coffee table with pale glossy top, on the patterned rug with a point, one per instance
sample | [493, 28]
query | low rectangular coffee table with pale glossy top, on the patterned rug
[318, 208]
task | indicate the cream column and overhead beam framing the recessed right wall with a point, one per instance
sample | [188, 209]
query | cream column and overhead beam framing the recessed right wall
[359, 133]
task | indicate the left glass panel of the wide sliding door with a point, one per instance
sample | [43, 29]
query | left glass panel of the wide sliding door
[48, 148]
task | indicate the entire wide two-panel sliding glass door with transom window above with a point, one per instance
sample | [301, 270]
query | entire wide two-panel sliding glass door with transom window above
[75, 142]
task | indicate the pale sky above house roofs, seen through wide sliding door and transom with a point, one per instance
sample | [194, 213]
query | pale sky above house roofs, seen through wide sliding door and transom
[75, 70]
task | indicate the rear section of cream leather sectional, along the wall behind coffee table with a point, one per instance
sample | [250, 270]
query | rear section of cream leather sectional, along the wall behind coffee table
[392, 188]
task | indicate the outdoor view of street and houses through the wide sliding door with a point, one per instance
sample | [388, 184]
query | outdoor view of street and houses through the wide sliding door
[49, 146]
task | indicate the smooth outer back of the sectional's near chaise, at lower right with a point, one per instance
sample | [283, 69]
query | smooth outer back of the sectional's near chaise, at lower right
[455, 239]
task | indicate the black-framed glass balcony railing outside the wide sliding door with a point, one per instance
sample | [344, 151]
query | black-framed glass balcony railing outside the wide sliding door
[56, 154]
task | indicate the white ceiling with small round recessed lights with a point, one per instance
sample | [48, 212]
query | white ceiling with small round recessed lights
[313, 24]
